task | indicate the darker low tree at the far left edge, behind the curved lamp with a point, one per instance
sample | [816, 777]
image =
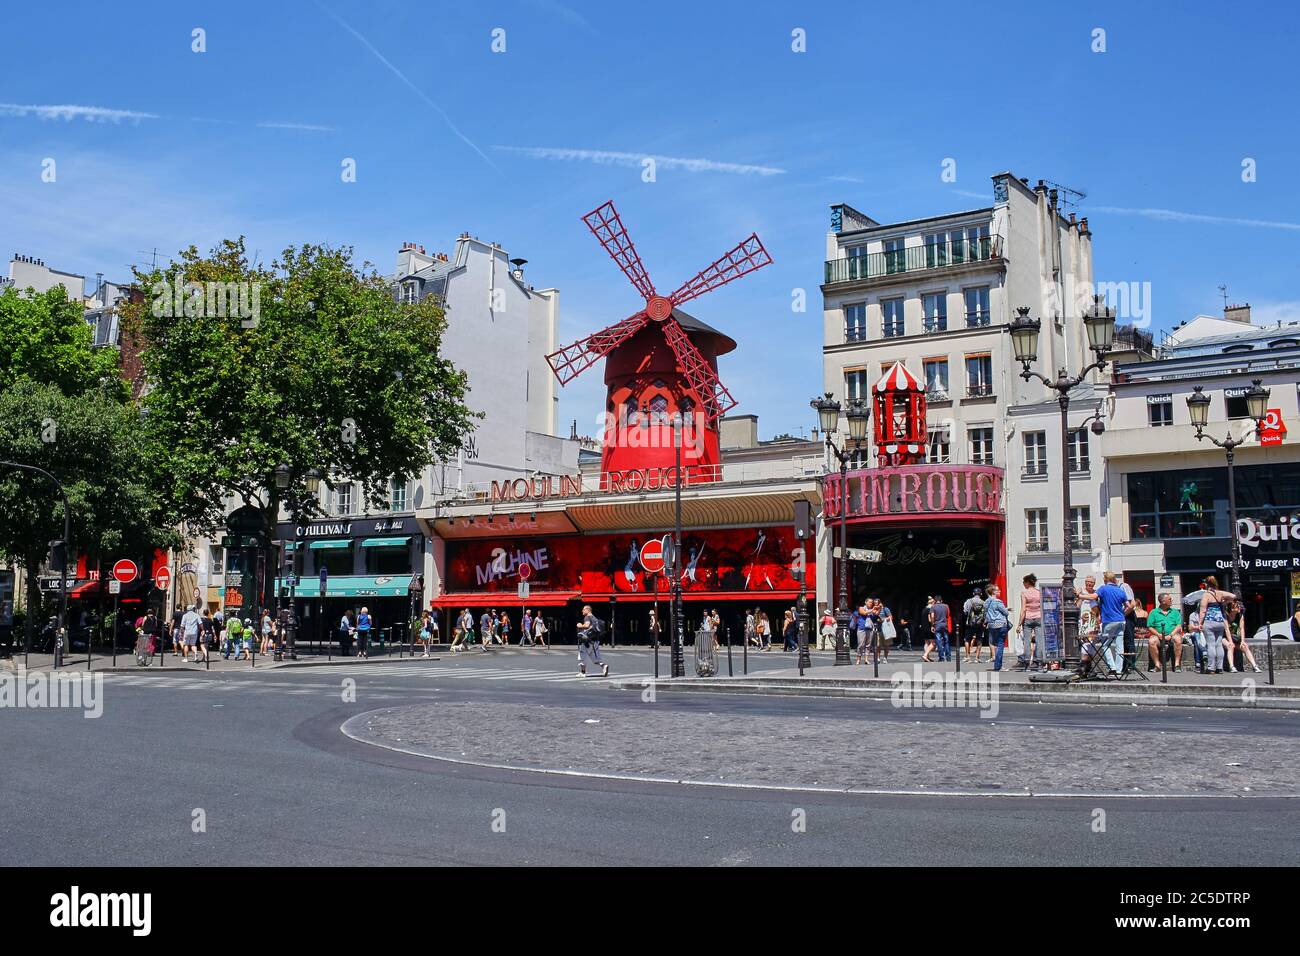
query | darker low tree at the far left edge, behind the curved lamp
[96, 445]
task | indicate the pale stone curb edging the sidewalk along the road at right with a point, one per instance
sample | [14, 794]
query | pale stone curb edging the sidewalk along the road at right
[1185, 699]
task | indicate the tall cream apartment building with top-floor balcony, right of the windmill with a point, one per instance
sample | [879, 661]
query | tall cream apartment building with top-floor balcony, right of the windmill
[938, 295]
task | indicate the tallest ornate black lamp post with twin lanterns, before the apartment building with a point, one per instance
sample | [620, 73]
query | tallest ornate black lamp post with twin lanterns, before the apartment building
[1100, 326]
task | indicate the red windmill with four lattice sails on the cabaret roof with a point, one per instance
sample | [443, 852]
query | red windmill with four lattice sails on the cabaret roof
[660, 361]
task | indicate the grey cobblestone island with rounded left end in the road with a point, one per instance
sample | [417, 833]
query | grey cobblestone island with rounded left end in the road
[881, 750]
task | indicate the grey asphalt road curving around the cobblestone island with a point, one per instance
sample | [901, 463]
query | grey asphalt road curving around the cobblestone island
[261, 763]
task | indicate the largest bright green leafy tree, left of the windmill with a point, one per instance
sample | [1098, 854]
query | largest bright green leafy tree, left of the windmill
[320, 367]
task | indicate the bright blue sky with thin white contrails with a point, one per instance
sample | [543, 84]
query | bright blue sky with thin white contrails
[248, 139]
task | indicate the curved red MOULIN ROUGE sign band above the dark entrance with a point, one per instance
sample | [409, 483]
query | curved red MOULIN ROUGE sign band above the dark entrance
[917, 490]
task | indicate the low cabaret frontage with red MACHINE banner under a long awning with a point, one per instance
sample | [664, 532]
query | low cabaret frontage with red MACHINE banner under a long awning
[582, 544]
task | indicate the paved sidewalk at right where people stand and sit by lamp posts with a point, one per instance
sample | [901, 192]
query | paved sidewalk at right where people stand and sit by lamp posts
[905, 669]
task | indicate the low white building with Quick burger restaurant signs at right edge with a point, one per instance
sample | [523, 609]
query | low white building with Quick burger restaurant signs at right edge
[1167, 494]
